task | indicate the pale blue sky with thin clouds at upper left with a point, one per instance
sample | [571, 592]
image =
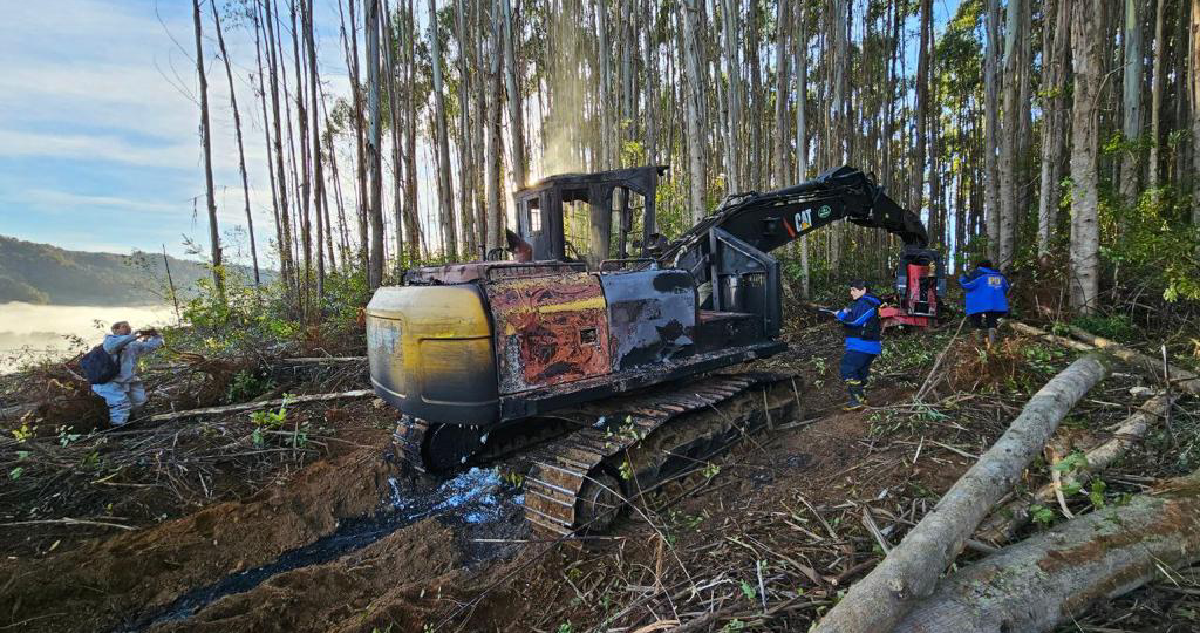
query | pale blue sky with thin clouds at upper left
[100, 130]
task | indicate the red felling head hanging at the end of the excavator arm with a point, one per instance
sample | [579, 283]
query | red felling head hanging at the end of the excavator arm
[920, 286]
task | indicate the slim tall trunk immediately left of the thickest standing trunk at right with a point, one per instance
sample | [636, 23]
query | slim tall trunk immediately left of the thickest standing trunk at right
[1055, 52]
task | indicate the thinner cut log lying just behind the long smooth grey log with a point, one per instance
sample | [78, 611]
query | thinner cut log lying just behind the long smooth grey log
[1004, 523]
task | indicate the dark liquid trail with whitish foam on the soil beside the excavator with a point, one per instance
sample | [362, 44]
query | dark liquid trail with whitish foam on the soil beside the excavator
[476, 498]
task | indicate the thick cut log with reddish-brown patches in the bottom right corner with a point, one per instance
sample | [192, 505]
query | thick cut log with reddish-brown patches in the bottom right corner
[1035, 584]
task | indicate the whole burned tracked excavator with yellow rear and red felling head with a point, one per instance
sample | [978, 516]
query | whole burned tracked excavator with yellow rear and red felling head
[608, 369]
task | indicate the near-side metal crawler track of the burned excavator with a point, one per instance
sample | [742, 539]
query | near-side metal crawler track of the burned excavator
[632, 445]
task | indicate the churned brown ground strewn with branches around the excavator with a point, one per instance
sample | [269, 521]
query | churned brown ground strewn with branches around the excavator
[191, 526]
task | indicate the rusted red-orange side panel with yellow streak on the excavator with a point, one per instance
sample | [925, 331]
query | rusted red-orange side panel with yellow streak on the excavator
[549, 330]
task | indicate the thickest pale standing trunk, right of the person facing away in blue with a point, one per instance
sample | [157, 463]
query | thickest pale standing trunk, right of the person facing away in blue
[1087, 41]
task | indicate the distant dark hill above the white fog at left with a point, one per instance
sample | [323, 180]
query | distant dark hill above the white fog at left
[49, 275]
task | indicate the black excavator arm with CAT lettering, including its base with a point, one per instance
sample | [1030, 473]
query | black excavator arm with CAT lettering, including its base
[729, 252]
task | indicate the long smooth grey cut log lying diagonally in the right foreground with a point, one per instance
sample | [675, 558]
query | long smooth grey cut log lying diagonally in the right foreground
[910, 572]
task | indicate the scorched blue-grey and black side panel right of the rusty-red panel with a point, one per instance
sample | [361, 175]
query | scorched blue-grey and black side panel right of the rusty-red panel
[652, 317]
